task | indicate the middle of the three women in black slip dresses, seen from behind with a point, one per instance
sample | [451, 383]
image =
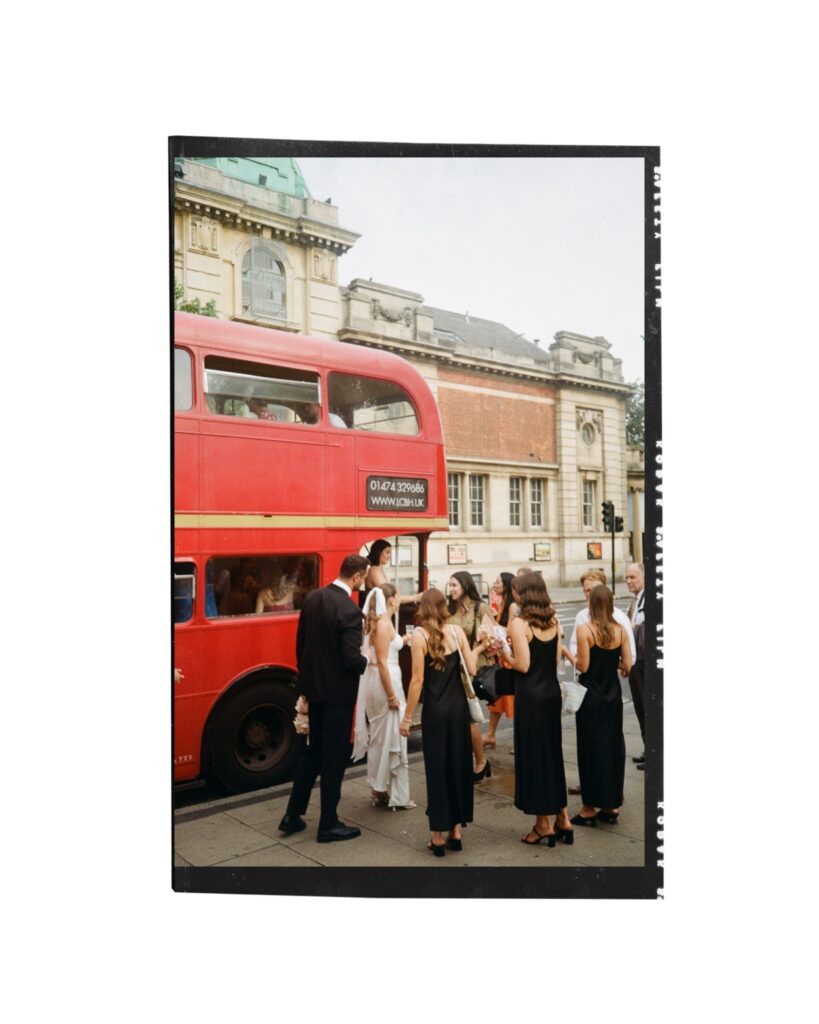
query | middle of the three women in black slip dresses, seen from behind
[540, 778]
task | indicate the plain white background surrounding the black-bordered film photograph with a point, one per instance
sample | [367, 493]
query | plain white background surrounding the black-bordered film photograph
[93, 92]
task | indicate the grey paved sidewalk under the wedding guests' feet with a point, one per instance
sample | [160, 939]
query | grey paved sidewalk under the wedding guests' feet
[242, 831]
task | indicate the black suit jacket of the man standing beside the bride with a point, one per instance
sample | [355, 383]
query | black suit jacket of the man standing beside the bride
[329, 648]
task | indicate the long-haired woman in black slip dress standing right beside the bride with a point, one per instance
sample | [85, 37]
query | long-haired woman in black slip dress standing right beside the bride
[445, 720]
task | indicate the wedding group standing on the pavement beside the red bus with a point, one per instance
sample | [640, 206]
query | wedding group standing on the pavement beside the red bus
[341, 667]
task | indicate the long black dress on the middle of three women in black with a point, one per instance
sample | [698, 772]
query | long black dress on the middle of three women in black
[540, 778]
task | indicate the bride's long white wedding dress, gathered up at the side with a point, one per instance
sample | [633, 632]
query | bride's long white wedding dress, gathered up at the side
[377, 730]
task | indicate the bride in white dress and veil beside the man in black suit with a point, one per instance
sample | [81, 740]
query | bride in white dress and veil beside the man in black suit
[381, 704]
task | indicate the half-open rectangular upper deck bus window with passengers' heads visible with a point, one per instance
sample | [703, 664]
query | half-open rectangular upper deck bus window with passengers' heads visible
[282, 395]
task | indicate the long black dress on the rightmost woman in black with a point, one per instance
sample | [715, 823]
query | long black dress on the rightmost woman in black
[601, 747]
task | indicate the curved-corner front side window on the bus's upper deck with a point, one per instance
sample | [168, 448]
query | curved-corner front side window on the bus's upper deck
[366, 404]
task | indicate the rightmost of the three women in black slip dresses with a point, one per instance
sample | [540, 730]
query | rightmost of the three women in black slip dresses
[602, 652]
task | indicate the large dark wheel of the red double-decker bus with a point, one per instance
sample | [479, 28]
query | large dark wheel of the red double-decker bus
[253, 743]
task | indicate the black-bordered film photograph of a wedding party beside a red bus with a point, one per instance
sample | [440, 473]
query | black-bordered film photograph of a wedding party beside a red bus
[417, 543]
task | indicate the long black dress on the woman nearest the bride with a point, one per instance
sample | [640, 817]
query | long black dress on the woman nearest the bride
[448, 746]
